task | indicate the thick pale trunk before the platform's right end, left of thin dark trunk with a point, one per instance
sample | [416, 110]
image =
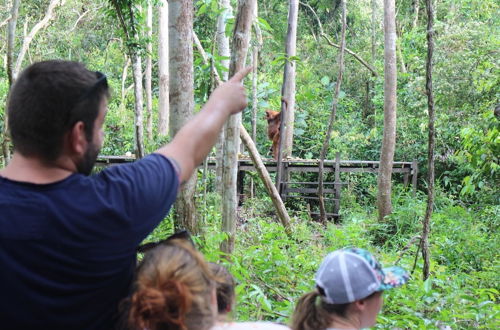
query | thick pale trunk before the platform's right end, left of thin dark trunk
[389, 138]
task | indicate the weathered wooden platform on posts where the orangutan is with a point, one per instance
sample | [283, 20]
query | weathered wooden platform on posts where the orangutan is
[306, 190]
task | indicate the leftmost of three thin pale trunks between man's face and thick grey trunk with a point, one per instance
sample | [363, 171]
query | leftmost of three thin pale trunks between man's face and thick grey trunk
[139, 128]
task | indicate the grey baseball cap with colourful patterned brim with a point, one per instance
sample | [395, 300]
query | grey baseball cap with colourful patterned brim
[351, 274]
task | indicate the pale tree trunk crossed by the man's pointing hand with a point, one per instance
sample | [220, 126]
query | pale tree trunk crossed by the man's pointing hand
[241, 40]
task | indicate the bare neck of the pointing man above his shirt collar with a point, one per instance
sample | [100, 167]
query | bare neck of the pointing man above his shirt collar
[33, 170]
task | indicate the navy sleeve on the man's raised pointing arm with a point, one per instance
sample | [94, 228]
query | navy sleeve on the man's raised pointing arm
[140, 193]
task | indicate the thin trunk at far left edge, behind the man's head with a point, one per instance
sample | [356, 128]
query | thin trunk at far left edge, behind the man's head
[11, 35]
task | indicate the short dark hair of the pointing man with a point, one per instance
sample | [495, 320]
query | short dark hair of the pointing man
[47, 100]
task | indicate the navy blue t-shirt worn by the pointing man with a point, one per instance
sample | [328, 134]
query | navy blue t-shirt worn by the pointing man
[68, 249]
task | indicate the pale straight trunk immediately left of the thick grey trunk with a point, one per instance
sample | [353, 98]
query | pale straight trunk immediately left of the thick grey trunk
[163, 102]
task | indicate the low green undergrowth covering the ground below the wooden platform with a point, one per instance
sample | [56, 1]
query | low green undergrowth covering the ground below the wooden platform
[273, 270]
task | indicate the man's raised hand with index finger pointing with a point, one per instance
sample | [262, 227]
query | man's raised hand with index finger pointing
[231, 96]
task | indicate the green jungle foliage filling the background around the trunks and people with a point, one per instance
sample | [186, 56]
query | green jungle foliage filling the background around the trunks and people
[272, 268]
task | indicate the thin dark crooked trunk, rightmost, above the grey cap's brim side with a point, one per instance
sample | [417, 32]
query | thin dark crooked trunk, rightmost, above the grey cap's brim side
[430, 105]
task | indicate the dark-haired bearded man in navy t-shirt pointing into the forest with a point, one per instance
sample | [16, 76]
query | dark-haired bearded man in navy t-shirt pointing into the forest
[68, 240]
